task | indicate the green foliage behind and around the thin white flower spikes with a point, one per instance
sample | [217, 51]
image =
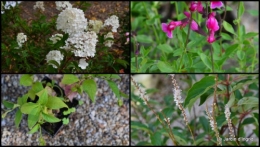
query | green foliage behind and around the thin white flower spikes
[239, 92]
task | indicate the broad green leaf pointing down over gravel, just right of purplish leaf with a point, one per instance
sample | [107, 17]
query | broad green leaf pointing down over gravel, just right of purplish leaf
[90, 87]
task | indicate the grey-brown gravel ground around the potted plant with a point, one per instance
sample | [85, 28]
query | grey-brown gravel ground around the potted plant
[102, 123]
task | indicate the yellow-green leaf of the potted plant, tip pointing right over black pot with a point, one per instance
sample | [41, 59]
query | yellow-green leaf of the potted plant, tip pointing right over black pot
[55, 103]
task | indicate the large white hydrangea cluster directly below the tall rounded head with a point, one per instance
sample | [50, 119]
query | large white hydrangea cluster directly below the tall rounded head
[84, 44]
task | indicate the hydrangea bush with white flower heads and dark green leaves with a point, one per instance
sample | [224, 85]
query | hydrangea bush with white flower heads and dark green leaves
[68, 42]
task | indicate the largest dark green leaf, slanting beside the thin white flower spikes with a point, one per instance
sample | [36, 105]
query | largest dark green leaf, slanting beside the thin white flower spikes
[198, 89]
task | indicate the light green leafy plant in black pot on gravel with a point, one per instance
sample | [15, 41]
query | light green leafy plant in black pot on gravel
[46, 102]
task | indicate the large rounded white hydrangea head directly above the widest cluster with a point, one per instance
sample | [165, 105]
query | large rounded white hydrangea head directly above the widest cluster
[71, 21]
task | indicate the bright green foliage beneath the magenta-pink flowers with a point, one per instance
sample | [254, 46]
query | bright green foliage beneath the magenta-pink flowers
[190, 52]
